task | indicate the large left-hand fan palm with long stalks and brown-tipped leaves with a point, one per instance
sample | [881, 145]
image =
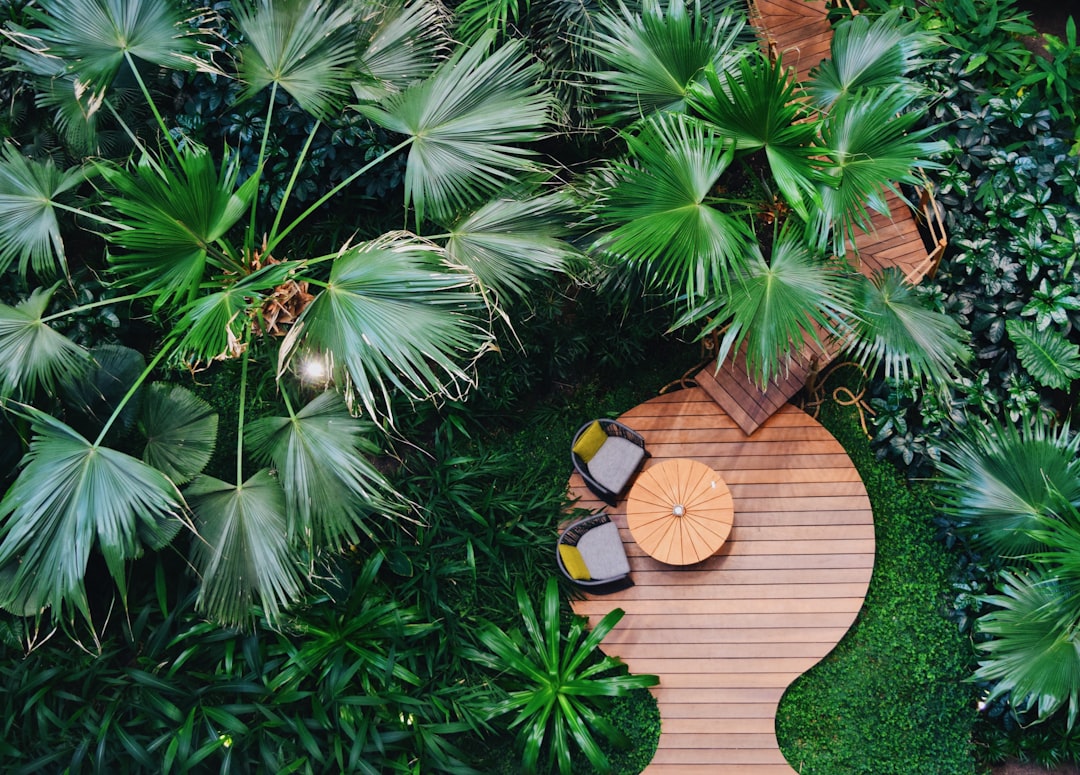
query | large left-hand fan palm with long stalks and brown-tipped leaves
[395, 316]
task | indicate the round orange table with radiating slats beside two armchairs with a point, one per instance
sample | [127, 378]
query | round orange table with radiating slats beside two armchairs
[680, 512]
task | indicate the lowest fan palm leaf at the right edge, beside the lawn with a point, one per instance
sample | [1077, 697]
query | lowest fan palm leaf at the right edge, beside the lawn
[1034, 651]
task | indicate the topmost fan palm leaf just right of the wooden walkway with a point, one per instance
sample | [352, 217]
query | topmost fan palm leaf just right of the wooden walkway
[869, 56]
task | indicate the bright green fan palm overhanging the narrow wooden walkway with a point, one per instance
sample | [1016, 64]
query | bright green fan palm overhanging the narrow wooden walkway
[686, 205]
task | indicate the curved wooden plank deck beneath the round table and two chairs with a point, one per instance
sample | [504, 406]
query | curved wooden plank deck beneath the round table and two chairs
[728, 636]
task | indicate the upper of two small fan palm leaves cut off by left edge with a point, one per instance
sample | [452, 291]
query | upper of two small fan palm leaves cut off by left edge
[30, 230]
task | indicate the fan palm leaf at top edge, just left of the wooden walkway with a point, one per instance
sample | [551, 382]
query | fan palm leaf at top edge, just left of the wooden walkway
[655, 58]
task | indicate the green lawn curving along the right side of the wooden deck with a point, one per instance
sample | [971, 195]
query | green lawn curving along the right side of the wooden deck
[893, 698]
